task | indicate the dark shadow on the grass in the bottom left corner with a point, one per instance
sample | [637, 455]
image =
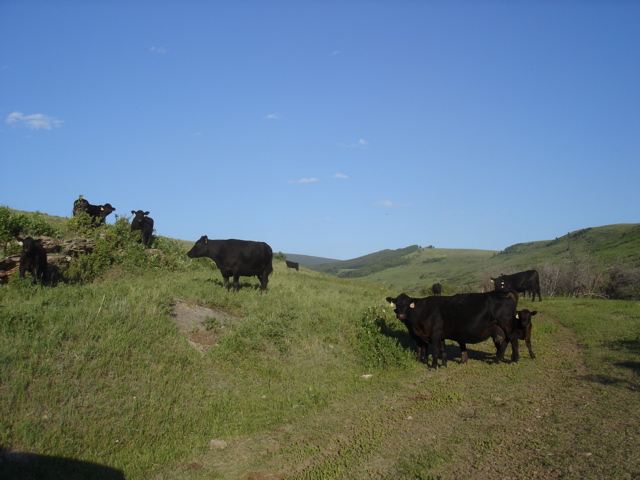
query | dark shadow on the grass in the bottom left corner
[29, 466]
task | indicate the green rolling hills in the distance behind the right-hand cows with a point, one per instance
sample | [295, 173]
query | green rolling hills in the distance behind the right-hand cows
[414, 269]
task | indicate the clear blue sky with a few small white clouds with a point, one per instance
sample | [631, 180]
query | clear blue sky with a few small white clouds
[327, 128]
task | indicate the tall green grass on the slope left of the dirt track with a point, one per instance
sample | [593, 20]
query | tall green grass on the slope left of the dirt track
[100, 373]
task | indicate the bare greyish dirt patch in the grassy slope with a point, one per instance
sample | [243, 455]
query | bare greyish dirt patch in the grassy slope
[201, 325]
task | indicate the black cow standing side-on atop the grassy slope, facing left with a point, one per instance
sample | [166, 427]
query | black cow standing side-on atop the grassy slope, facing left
[236, 258]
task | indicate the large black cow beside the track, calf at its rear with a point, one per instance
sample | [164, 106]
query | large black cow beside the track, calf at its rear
[463, 318]
